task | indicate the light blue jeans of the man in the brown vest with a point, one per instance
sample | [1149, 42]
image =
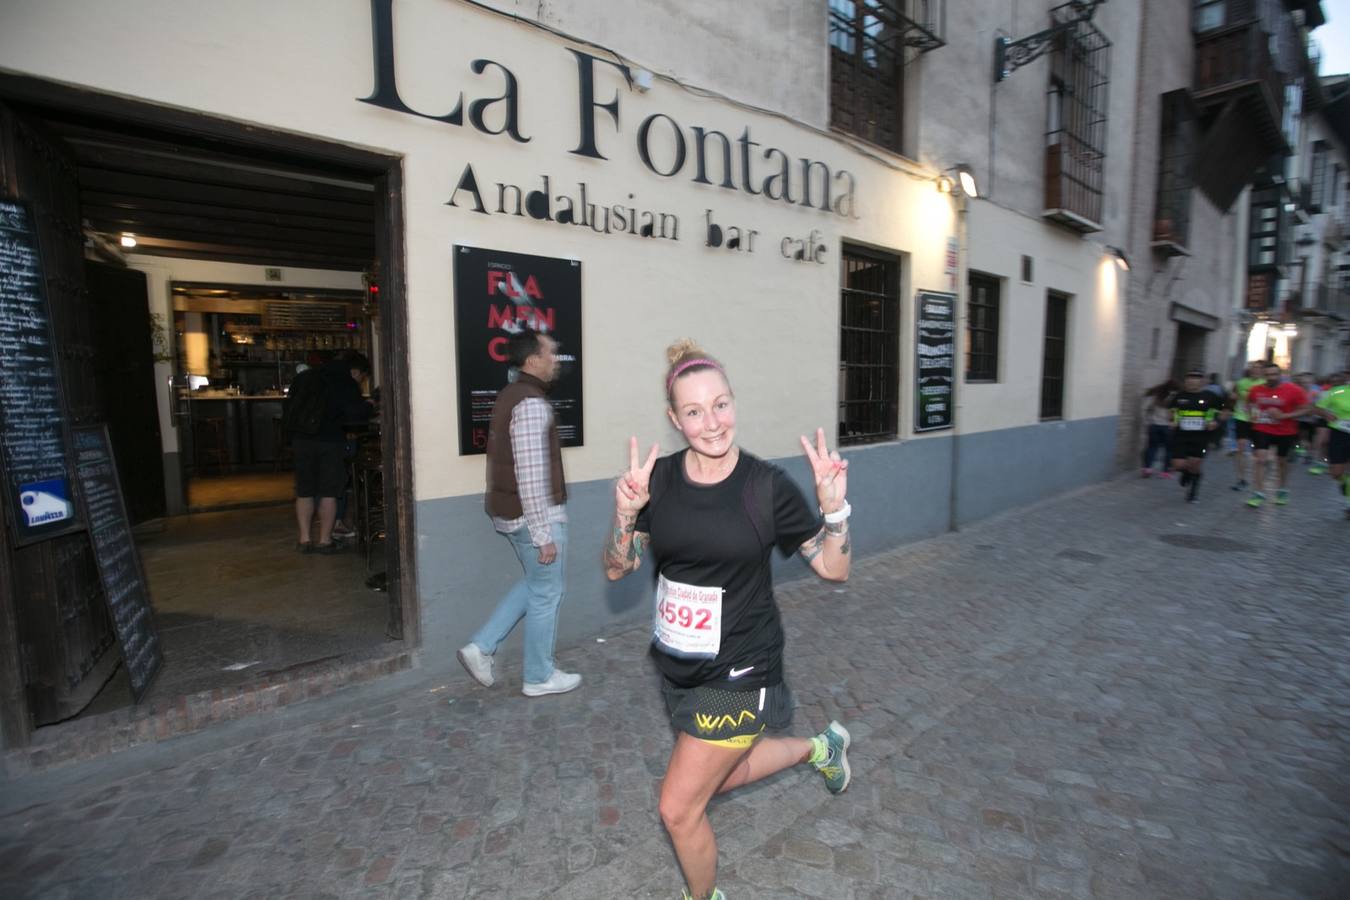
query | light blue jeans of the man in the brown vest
[535, 600]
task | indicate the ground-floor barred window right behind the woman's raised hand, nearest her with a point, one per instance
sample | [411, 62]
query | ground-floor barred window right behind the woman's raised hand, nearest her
[870, 341]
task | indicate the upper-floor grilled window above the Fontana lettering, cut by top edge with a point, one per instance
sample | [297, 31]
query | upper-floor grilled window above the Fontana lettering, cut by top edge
[870, 45]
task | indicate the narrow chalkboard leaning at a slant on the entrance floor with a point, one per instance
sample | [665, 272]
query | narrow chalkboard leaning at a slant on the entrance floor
[119, 565]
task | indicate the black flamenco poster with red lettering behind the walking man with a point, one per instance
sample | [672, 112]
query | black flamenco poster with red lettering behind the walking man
[497, 295]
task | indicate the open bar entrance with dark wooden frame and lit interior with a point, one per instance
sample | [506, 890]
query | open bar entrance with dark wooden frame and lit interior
[165, 234]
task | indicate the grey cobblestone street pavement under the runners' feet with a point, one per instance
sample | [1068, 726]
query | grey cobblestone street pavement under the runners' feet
[1112, 694]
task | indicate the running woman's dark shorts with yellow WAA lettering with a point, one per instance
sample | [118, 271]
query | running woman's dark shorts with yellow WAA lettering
[728, 719]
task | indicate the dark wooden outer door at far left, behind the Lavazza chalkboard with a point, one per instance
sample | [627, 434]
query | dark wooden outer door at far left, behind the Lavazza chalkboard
[57, 640]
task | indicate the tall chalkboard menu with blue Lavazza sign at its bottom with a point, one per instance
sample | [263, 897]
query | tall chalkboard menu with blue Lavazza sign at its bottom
[33, 443]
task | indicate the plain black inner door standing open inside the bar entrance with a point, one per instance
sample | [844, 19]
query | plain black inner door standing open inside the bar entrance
[124, 361]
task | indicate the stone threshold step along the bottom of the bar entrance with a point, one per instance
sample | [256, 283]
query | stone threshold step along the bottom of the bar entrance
[97, 736]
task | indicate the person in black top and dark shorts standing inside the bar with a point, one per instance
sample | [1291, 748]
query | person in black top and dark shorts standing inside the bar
[318, 410]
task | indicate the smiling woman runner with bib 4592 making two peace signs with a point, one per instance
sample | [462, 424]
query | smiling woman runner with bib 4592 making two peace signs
[709, 517]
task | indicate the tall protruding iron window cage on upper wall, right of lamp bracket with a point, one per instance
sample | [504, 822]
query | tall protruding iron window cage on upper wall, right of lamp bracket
[1075, 141]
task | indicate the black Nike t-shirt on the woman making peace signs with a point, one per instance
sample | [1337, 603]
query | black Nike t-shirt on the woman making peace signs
[723, 536]
